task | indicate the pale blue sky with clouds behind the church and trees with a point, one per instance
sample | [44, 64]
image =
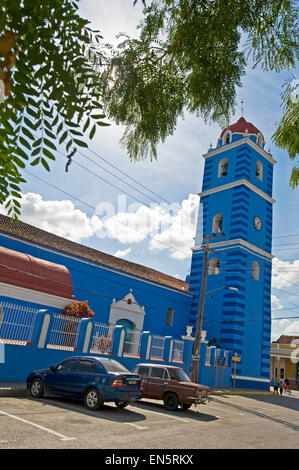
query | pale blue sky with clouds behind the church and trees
[146, 212]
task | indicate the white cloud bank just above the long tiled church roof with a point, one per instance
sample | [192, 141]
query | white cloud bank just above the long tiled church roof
[168, 226]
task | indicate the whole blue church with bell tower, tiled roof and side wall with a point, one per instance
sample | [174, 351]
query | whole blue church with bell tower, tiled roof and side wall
[42, 269]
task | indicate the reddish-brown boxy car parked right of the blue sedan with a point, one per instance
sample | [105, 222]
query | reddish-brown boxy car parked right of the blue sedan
[172, 385]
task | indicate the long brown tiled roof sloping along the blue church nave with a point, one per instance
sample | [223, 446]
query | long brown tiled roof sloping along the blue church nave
[41, 237]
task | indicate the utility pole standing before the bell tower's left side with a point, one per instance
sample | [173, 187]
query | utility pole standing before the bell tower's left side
[197, 341]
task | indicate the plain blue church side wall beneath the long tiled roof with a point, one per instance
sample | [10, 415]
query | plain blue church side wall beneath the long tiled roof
[100, 286]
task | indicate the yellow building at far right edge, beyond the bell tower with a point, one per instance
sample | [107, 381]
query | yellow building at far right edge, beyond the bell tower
[285, 359]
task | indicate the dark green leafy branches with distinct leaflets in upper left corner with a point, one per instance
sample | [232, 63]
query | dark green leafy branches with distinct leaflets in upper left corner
[49, 89]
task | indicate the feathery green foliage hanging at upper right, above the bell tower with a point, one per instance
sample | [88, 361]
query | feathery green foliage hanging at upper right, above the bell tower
[189, 56]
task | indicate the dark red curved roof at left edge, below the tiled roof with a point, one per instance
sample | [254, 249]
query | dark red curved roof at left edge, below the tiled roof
[22, 270]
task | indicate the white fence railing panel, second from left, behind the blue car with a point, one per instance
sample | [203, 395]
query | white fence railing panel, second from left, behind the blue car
[63, 332]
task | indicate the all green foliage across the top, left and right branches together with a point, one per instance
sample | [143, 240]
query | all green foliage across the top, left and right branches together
[57, 82]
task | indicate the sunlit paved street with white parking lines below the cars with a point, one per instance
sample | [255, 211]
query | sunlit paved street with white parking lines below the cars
[228, 422]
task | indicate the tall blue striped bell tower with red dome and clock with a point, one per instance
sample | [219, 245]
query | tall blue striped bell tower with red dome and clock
[236, 201]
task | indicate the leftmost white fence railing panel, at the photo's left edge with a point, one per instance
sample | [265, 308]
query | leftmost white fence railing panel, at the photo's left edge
[16, 322]
